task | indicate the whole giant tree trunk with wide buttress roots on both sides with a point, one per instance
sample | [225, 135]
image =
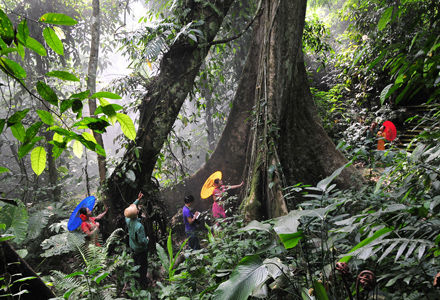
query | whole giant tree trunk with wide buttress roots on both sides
[287, 144]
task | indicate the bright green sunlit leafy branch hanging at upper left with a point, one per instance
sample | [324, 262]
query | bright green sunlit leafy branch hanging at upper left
[56, 106]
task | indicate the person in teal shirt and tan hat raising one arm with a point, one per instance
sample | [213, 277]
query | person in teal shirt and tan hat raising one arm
[138, 241]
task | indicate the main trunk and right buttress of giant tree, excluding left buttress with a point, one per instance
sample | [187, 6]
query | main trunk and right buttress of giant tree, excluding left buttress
[289, 143]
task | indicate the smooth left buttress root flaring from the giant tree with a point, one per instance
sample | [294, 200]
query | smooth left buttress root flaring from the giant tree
[230, 154]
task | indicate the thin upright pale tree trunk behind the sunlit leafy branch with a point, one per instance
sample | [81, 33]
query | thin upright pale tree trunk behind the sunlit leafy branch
[91, 81]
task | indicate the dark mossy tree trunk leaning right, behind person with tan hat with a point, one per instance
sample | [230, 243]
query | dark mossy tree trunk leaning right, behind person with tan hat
[160, 107]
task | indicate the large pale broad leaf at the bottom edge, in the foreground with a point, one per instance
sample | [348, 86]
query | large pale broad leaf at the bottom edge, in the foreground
[248, 275]
